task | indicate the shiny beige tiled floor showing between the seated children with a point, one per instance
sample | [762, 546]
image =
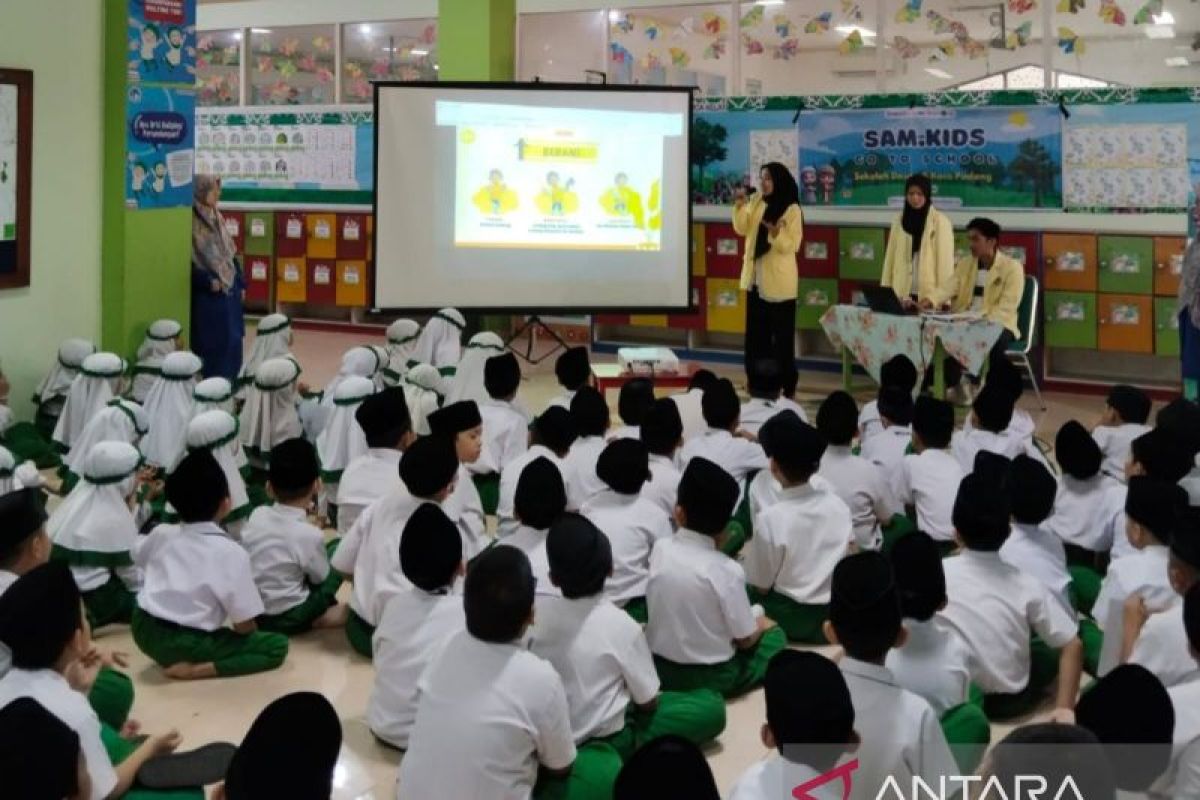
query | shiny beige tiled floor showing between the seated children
[322, 661]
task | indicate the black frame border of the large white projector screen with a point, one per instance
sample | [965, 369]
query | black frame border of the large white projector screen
[527, 310]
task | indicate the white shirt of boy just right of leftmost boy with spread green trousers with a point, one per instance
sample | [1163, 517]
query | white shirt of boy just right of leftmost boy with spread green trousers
[286, 554]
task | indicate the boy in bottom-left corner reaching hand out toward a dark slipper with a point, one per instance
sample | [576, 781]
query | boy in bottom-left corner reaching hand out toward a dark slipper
[47, 637]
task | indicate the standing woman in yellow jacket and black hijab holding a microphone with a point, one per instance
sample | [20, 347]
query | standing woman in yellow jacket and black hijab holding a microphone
[773, 228]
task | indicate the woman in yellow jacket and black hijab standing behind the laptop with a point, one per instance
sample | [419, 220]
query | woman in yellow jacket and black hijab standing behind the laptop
[920, 261]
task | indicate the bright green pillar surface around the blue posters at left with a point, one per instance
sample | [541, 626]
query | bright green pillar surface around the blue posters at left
[146, 256]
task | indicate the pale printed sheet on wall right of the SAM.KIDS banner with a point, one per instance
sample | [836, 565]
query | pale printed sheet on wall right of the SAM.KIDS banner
[1131, 158]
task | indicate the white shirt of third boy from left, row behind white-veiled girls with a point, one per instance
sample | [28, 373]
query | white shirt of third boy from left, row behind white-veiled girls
[370, 552]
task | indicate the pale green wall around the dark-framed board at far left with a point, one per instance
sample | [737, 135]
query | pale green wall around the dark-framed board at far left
[59, 41]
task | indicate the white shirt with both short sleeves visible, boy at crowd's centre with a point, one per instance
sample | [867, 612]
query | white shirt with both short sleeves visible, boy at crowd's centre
[634, 526]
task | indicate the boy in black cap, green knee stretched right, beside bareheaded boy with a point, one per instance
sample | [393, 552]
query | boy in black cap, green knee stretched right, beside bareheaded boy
[602, 655]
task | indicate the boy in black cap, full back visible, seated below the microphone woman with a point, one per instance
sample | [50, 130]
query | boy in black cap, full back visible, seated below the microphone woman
[800, 539]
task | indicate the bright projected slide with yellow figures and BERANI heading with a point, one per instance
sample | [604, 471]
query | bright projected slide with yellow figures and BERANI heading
[539, 177]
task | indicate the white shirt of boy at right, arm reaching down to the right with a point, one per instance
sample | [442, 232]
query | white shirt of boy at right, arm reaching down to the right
[995, 607]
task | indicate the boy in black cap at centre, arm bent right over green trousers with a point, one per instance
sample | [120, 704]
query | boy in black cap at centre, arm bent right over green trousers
[701, 628]
